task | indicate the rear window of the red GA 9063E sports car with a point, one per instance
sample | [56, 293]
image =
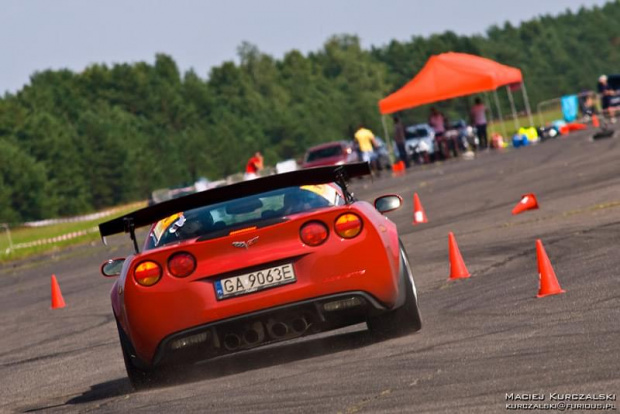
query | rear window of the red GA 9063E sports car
[261, 209]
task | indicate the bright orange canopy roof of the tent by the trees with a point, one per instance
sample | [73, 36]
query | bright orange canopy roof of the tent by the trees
[450, 75]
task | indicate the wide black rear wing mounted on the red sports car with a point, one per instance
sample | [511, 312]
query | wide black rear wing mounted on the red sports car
[148, 215]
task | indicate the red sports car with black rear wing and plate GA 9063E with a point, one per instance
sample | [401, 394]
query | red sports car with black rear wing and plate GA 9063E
[257, 262]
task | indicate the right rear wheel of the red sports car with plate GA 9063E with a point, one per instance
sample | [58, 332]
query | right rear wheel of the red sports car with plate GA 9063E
[404, 320]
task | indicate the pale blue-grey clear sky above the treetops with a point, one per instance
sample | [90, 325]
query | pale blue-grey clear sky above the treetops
[199, 34]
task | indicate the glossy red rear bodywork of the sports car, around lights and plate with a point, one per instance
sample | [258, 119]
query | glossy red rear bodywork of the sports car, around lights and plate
[368, 263]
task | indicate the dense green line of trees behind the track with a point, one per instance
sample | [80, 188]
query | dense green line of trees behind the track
[71, 143]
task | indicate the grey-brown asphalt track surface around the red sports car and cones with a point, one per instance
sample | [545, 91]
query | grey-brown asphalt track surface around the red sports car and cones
[482, 337]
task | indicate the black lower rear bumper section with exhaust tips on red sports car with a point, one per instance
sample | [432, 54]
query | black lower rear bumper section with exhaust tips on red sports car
[267, 326]
